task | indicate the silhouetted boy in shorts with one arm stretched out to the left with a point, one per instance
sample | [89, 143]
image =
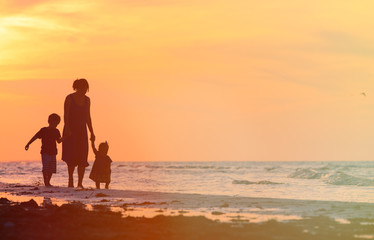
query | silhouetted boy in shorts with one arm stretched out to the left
[49, 135]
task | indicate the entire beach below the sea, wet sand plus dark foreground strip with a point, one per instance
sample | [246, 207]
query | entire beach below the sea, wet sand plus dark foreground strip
[65, 213]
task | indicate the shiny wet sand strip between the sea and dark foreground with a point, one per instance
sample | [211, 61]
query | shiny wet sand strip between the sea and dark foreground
[214, 207]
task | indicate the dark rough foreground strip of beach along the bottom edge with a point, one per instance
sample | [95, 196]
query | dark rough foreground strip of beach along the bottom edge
[27, 220]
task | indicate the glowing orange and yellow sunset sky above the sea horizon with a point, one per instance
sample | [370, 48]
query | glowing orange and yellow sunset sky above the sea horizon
[194, 80]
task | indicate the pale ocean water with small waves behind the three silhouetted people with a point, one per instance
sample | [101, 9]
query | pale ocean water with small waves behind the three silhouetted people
[329, 181]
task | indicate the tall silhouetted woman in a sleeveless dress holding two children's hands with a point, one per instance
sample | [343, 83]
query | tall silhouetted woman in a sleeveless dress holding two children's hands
[77, 118]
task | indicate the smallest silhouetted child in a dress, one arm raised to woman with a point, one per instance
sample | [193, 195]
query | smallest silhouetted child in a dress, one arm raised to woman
[100, 172]
